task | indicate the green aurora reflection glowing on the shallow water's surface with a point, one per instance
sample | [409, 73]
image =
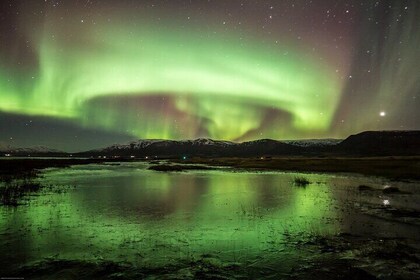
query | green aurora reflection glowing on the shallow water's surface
[124, 214]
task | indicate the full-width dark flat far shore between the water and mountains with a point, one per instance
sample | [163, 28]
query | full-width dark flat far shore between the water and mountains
[397, 168]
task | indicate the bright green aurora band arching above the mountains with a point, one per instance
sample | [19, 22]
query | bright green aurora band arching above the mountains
[222, 85]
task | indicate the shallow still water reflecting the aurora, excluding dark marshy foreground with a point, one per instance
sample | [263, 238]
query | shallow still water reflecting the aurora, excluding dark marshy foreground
[128, 214]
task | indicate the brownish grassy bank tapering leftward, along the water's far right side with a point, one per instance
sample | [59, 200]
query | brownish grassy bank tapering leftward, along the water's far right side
[398, 168]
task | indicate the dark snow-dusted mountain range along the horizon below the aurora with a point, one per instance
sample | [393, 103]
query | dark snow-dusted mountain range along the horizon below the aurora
[369, 143]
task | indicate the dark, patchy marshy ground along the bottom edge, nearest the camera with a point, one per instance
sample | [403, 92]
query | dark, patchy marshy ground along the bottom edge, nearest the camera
[339, 257]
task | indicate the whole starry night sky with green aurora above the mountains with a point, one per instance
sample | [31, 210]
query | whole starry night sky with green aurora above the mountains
[77, 75]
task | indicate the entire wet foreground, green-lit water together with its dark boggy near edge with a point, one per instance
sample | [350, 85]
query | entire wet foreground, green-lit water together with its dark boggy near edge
[122, 221]
